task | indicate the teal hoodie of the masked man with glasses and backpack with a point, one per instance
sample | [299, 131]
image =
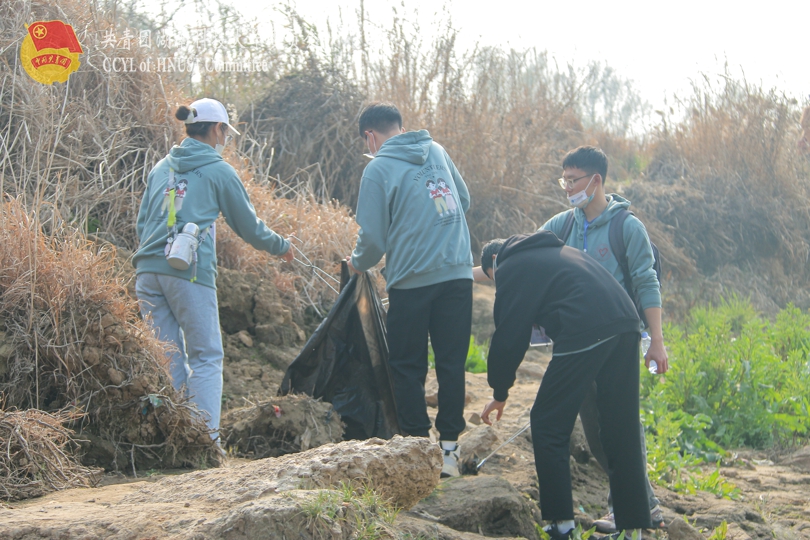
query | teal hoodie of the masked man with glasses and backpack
[639, 253]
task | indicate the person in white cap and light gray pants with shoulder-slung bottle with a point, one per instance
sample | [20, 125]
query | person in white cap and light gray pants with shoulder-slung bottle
[176, 264]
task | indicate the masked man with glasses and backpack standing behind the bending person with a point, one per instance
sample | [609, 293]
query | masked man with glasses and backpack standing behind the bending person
[585, 170]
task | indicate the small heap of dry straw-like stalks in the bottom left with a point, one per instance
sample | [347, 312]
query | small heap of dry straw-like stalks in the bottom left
[39, 455]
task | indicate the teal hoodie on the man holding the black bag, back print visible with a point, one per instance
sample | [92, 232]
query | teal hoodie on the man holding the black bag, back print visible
[411, 209]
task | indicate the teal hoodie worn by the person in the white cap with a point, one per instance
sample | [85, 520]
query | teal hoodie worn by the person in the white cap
[212, 187]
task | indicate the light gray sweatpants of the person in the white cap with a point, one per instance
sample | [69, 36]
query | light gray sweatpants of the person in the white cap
[186, 314]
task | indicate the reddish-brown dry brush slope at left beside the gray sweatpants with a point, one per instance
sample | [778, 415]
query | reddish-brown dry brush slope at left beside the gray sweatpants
[71, 339]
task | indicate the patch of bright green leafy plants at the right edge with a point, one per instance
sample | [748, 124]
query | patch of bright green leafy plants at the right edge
[736, 379]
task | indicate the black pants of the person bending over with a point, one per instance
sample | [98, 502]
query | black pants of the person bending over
[614, 366]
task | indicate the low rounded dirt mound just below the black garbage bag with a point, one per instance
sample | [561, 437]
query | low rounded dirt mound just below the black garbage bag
[281, 426]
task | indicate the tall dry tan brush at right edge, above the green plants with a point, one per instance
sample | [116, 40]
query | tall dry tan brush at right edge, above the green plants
[728, 189]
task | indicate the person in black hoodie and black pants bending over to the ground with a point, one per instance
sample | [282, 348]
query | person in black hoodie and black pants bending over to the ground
[595, 330]
